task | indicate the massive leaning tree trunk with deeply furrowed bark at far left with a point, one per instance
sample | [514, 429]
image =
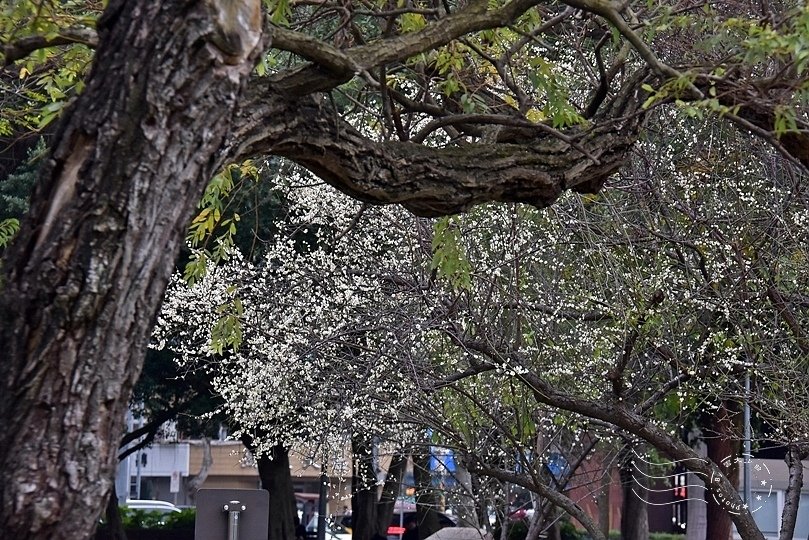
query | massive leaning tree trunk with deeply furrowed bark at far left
[83, 281]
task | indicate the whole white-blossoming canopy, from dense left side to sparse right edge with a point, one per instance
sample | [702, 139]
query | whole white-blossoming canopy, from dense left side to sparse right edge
[665, 276]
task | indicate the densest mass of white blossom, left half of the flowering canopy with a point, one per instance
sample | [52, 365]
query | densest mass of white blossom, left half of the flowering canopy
[329, 325]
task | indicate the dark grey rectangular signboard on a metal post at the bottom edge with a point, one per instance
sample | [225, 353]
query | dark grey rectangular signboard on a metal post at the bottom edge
[219, 510]
